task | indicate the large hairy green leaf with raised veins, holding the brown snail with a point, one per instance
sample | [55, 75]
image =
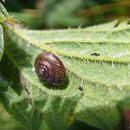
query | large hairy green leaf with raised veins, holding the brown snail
[96, 58]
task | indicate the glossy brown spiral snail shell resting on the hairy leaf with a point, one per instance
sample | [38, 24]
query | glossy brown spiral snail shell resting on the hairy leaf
[50, 69]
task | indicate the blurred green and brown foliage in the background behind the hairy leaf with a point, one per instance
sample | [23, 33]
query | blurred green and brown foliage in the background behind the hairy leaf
[56, 14]
